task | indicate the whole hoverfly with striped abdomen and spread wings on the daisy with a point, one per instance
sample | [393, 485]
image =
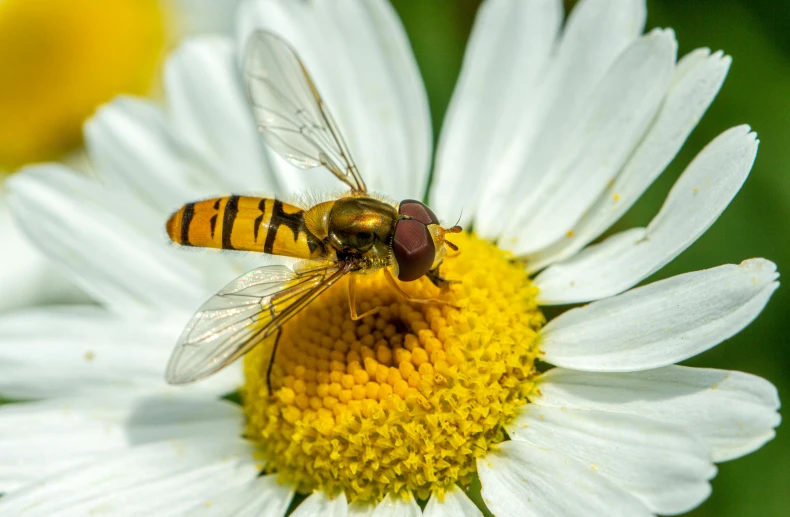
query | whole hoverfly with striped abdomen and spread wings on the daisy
[353, 234]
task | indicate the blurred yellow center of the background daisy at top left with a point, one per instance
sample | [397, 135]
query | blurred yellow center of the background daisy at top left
[61, 59]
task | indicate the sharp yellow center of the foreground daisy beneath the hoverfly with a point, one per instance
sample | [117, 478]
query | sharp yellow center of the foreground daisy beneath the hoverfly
[405, 400]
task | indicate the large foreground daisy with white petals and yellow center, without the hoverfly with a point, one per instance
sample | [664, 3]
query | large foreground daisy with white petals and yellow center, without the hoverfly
[555, 129]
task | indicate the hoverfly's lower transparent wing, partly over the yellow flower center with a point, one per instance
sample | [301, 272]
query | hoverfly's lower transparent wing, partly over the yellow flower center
[248, 311]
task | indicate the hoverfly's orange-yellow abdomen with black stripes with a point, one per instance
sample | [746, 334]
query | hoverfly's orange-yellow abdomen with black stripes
[245, 223]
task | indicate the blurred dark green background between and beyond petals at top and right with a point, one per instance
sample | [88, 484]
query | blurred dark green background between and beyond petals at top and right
[756, 34]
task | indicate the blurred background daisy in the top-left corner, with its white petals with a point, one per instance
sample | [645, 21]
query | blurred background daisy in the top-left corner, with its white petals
[61, 60]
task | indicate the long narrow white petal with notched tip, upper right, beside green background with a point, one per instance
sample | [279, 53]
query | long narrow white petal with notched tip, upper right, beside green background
[698, 77]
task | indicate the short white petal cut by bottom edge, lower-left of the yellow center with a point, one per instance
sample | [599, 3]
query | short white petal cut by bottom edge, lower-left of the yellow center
[262, 497]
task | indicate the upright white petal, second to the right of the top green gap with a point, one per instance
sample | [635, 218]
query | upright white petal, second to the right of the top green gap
[597, 32]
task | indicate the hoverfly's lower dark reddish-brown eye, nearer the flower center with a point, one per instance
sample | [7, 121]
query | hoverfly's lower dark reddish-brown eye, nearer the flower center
[414, 249]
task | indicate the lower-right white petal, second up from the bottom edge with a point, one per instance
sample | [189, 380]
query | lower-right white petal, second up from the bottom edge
[662, 465]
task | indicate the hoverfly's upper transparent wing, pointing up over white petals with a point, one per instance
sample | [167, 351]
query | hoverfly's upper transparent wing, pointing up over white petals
[290, 113]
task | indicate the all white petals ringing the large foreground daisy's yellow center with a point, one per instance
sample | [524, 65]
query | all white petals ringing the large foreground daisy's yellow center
[105, 414]
